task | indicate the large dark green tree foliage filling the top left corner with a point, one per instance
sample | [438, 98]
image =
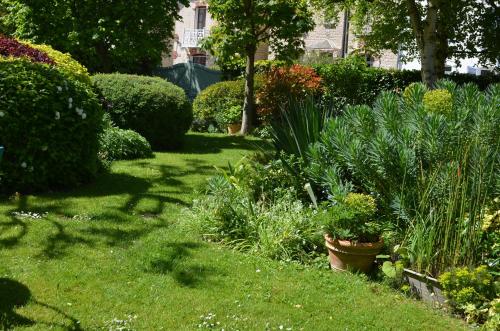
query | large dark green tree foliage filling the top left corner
[104, 35]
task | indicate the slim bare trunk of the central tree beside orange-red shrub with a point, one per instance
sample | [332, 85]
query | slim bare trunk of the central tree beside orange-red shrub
[249, 105]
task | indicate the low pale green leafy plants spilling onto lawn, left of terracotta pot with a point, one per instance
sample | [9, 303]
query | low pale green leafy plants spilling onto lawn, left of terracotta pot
[281, 229]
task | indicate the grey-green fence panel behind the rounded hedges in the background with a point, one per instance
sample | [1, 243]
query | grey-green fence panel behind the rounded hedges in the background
[192, 77]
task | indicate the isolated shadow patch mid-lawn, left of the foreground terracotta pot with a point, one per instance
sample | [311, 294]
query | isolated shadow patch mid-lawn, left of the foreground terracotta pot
[177, 264]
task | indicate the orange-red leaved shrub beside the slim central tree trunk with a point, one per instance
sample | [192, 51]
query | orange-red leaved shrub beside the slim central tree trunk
[285, 83]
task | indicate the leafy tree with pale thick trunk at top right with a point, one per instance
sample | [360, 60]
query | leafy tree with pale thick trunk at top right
[433, 30]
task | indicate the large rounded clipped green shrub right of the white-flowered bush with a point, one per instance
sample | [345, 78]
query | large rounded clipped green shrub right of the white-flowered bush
[155, 108]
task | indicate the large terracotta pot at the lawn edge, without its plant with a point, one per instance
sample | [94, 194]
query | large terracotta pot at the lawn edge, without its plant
[347, 255]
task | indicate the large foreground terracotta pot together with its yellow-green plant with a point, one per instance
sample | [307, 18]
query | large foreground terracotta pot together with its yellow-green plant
[353, 233]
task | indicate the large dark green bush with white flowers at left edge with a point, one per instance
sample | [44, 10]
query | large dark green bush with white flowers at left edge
[49, 126]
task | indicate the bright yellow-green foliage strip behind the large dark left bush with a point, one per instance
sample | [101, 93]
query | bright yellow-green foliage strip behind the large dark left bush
[65, 63]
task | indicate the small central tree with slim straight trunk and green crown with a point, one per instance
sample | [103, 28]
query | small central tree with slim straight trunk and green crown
[242, 25]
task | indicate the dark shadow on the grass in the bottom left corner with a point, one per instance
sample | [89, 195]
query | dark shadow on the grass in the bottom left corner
[14, 295]
